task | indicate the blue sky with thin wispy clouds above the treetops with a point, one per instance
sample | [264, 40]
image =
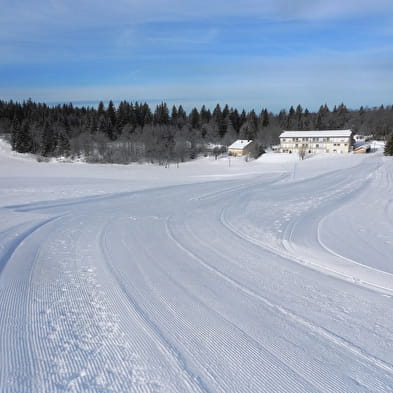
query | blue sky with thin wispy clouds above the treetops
[249, 54]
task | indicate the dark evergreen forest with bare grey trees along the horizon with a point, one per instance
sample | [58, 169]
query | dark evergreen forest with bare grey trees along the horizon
[133, 131]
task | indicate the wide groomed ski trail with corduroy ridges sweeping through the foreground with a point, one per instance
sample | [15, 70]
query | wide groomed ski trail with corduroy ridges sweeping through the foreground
[129, 296]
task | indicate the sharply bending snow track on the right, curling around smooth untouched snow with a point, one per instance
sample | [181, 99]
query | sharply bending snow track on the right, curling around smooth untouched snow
[316, 254]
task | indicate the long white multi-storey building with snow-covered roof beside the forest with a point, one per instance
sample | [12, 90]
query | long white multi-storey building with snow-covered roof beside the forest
[326, 141]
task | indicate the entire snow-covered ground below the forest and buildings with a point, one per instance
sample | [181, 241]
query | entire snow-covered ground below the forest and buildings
[273, 275]
